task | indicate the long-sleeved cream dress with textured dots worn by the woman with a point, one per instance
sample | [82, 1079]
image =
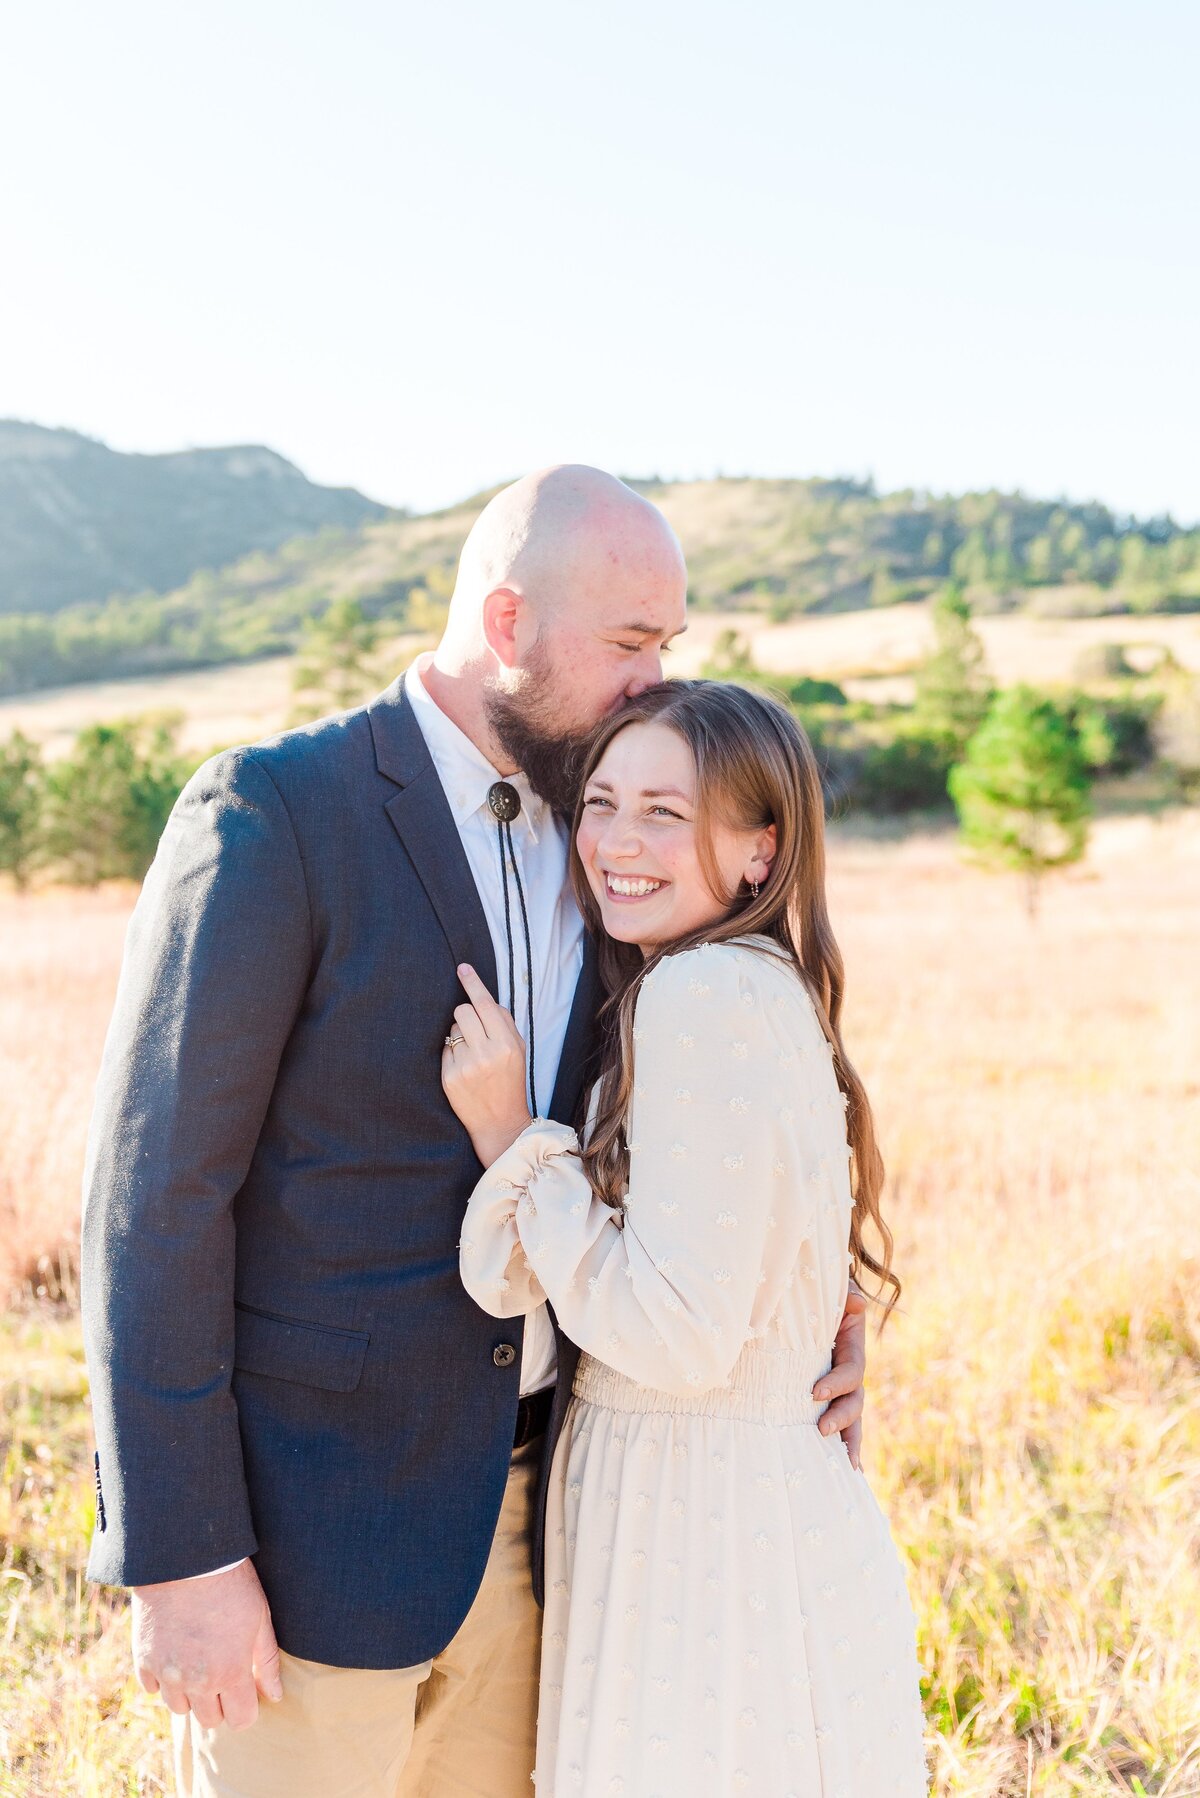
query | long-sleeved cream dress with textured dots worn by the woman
[726, 1610]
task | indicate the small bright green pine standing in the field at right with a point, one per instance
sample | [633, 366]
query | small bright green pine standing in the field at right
[1023, 790]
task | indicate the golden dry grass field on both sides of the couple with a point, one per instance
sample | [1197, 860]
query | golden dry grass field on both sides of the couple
[1034, 1409]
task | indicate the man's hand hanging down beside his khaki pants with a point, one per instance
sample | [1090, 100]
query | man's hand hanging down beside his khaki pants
[208, 1646]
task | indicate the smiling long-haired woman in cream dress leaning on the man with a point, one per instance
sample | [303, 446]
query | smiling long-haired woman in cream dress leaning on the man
[726, 1612]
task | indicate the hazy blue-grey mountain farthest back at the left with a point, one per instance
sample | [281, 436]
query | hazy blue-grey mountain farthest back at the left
[82, 522]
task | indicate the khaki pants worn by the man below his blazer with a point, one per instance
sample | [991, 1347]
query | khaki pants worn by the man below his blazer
[458, 1727]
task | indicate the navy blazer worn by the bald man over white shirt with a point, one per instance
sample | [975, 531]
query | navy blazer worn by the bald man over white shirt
[283, 1358]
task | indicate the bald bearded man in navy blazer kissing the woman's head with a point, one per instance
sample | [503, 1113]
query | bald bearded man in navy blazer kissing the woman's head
[310, 1439]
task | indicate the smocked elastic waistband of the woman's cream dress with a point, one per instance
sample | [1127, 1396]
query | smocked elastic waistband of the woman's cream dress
[764, 1389]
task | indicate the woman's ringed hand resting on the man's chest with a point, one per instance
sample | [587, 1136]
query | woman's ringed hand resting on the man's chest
[485, 1073]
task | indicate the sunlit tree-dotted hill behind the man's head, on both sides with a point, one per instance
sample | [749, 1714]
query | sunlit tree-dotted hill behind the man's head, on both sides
[778, 547]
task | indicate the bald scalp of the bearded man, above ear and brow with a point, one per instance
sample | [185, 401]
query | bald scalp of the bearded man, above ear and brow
[562, 539]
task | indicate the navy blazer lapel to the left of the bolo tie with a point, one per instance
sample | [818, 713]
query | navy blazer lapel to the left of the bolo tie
[425, 826]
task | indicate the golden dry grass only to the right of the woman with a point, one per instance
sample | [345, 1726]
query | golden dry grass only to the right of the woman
[1035, 1412]
